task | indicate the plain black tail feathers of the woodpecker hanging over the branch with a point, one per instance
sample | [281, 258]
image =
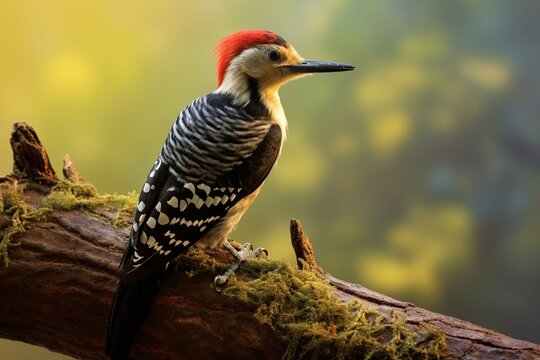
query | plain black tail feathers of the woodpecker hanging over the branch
[130, 307]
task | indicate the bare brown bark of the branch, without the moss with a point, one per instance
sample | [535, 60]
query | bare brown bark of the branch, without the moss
[60, 282]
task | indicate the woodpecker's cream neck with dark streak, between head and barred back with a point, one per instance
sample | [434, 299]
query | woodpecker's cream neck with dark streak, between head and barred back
[247, 91]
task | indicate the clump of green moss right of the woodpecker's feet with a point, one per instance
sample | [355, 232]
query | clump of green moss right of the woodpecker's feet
[302, 307]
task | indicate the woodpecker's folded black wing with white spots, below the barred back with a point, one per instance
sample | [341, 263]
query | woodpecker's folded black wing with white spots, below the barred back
[171, 215]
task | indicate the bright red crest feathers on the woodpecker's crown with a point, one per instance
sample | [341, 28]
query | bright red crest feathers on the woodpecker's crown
[234, 44]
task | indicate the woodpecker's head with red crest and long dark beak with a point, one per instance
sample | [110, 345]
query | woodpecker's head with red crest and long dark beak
[265, 57]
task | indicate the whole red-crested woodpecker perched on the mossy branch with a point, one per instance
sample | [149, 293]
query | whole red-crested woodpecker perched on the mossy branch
[211, 168]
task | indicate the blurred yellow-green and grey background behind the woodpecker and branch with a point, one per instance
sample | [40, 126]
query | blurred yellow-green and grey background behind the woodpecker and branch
[417, 175]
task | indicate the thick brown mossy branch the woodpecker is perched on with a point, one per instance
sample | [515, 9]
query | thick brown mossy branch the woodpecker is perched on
[64, 241]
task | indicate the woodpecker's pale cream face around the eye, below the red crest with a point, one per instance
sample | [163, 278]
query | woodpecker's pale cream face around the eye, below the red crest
[267, 64]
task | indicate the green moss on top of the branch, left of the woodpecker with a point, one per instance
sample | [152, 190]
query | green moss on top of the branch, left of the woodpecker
[65, 196]
